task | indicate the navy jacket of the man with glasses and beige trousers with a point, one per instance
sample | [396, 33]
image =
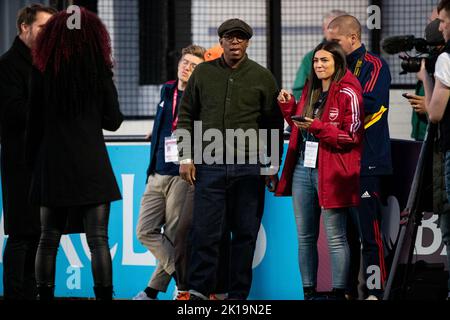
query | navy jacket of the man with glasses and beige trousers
[167, 92]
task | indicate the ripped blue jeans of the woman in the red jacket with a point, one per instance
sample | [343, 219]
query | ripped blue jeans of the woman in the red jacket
[307, 215]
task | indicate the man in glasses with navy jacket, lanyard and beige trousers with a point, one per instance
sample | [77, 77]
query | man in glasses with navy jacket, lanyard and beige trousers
[166, 196]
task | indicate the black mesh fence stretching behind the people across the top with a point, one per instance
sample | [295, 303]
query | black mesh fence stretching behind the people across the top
[147, 36]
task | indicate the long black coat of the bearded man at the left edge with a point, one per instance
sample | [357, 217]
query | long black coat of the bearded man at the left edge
[20, 218]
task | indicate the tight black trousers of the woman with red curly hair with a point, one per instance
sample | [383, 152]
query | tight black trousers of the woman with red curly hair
[95, 221]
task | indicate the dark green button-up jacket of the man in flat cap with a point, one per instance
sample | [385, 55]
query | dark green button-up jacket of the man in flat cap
[224, 98]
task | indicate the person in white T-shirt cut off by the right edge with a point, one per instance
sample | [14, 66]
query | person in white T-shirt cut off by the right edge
[436, 104]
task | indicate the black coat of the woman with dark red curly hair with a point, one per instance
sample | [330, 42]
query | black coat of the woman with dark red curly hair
[68, 153]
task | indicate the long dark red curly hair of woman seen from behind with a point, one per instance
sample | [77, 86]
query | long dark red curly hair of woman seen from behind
[73, 60]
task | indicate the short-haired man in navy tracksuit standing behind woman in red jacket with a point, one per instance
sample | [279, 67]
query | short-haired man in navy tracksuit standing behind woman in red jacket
[375, 78]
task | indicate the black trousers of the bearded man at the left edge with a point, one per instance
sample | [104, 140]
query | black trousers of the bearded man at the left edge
[19, 282]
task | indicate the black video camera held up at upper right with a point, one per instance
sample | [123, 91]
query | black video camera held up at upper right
[428, 49]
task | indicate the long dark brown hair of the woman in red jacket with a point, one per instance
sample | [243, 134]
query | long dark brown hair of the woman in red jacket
[315, 84]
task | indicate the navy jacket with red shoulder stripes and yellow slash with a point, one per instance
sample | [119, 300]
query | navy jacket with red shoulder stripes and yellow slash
[375, 79]
